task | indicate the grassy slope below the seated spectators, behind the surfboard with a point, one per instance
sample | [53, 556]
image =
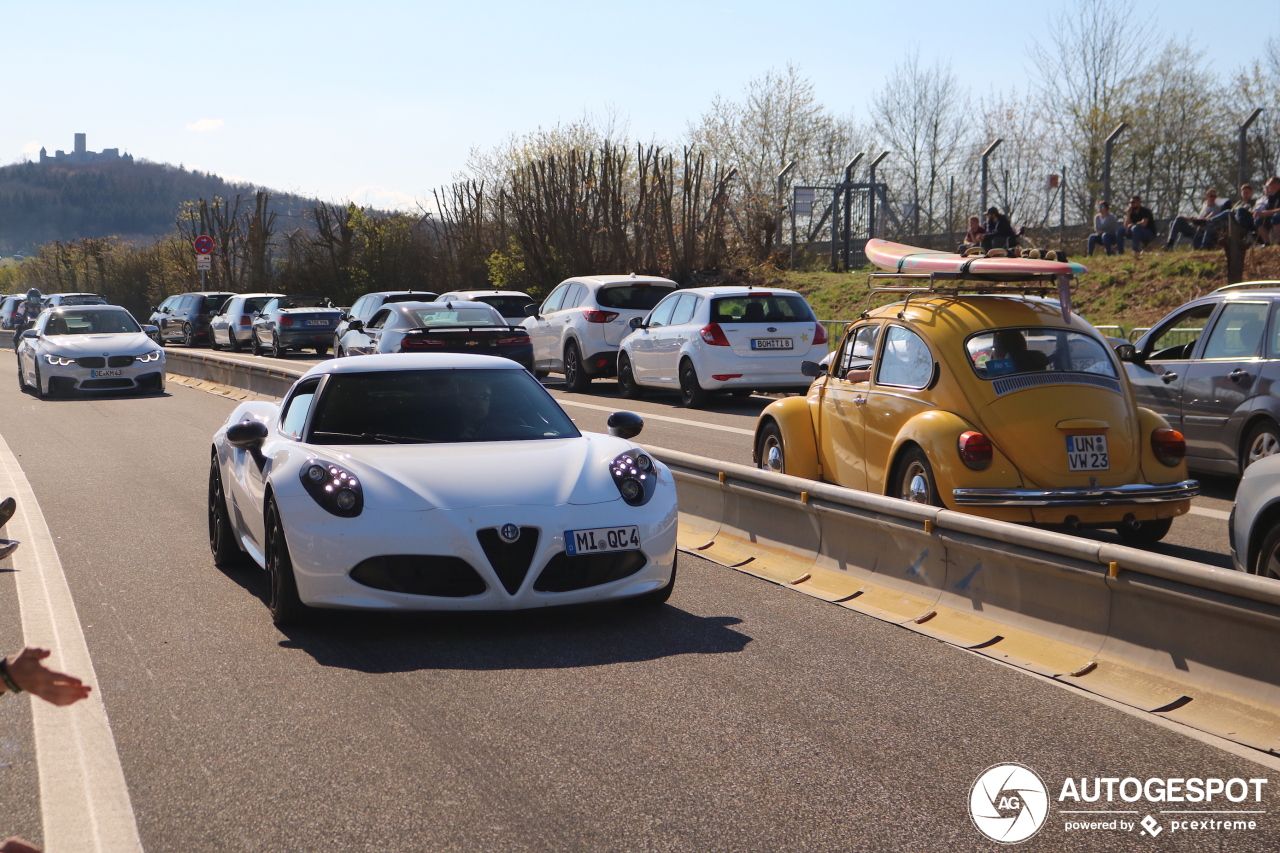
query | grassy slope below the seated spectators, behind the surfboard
[1122, 290]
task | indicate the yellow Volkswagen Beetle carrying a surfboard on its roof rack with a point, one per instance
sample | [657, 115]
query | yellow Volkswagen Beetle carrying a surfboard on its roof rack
[991, 405]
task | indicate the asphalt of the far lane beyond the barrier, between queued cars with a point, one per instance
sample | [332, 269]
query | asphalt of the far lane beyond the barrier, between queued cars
[725, 430]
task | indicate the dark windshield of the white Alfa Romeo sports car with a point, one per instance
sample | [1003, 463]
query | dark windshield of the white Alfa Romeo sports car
[437, 407]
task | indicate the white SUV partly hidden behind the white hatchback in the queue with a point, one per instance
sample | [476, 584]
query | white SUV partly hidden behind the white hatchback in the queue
[580, 326]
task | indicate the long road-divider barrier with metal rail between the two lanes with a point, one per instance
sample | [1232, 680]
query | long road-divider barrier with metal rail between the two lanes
[1183, 641]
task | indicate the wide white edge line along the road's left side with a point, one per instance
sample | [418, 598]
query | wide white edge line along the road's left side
[84, 799]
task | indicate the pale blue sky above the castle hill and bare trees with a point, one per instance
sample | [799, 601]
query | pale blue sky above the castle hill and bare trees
[382, 102]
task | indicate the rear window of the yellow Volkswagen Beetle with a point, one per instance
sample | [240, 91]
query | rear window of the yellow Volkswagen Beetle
[1002, 353]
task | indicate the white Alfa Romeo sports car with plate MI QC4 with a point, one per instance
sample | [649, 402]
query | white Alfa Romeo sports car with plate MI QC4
[437, 482]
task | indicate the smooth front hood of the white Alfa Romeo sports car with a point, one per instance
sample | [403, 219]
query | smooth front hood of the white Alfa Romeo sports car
[452, 477]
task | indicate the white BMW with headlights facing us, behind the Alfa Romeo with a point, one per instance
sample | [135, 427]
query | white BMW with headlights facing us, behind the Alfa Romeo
[90, 348]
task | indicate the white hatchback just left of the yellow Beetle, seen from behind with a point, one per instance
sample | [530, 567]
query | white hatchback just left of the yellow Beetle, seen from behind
[723, 339]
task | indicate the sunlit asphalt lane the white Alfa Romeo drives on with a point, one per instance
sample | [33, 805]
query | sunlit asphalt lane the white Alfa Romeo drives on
[740, 717]
